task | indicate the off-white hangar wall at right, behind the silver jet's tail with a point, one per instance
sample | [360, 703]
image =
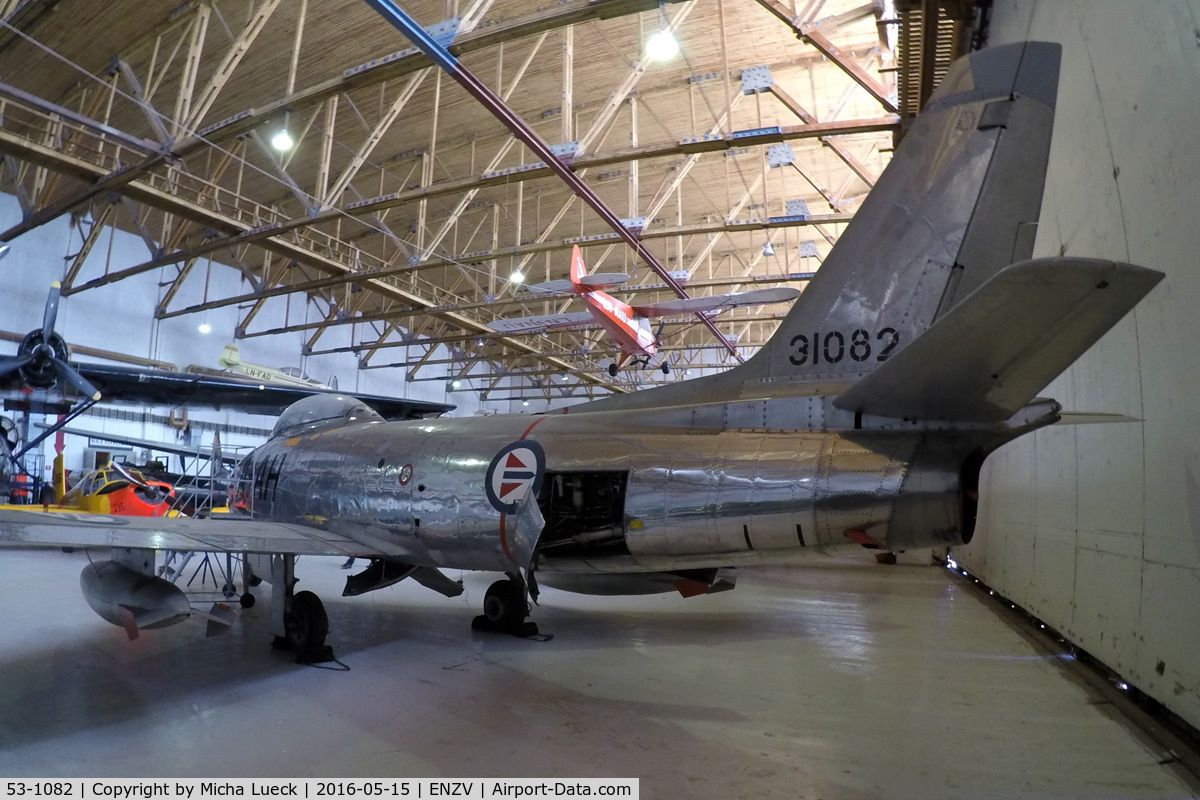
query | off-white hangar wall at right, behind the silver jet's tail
[1096, 530]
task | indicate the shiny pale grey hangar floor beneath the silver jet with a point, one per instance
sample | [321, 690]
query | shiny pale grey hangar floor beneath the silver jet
[843, 679]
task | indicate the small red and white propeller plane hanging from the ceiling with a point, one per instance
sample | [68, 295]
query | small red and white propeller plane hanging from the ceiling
[628, 326]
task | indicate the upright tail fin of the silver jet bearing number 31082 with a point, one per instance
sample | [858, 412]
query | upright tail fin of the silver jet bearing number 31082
[958, 203]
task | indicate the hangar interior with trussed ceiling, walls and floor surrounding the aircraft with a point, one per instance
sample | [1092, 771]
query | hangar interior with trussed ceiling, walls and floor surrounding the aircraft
[403, 219]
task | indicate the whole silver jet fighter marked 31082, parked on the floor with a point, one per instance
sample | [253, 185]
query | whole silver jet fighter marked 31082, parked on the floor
[916, 352]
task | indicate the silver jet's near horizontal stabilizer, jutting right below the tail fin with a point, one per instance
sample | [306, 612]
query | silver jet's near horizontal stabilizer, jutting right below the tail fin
[991, 354]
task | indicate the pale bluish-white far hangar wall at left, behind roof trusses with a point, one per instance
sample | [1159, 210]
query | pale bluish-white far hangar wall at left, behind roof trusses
[121, 317]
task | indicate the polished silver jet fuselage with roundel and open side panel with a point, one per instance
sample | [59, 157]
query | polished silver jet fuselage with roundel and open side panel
[621, 492]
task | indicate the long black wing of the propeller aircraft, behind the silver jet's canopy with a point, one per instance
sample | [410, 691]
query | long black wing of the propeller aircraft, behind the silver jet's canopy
[164, 388]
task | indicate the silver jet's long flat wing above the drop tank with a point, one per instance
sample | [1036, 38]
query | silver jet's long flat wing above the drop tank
[39, 530]
